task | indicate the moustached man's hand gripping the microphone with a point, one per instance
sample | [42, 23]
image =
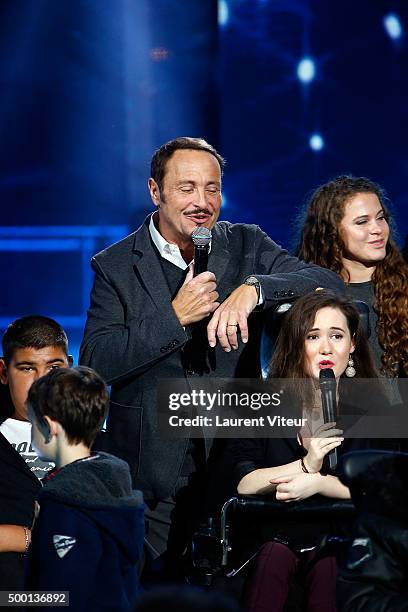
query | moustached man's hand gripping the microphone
[196, 299]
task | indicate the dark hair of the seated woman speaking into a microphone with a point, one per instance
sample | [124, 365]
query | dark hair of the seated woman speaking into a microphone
[288, 360]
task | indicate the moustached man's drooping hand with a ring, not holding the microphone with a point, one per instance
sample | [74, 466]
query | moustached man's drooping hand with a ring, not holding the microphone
[231, 315]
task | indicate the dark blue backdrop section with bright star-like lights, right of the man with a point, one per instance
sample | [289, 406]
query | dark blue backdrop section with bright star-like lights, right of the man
[310, 90]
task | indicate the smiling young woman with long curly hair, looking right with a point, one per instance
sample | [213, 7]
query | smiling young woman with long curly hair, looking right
[348, 229]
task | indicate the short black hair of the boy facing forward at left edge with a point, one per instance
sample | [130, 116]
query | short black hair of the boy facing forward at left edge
[34, 331]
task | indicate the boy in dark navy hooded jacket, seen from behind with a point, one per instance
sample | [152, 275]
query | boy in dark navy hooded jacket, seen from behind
[89, 535]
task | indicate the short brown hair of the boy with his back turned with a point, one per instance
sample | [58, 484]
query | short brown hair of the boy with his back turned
[77, 398]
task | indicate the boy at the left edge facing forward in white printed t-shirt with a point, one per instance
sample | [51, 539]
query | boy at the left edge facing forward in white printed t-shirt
[32, 346]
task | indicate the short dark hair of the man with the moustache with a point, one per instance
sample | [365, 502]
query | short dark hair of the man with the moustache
[163, 154]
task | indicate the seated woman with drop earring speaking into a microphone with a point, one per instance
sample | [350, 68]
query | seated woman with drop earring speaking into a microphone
[322, 330]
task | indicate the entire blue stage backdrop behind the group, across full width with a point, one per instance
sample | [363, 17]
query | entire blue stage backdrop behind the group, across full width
[291, 92]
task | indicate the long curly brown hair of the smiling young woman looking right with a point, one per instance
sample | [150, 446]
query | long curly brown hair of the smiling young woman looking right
[321, 243]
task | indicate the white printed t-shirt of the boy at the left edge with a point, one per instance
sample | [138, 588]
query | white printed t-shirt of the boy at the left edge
[18, 434]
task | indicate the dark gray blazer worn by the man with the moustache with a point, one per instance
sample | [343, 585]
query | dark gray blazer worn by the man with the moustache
[133, 337]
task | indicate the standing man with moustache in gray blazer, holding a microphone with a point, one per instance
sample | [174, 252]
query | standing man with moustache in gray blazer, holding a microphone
[149, 318]
